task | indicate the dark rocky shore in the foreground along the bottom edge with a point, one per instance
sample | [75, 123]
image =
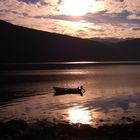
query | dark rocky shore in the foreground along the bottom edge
[42, 130]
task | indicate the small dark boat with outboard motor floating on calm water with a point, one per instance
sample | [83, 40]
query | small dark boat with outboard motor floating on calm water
[62, 91]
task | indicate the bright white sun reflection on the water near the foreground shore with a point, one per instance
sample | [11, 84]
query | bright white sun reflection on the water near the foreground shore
[79, 115]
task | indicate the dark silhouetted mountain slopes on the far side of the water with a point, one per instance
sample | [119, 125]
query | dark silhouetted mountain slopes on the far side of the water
[20, 44]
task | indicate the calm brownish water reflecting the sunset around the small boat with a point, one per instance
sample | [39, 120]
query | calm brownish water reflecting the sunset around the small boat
[112, 92]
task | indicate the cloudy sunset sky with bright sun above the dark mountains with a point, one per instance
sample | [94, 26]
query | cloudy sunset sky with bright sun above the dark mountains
[79, 18]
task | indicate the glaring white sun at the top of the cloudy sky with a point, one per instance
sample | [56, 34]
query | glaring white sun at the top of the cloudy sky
[75, 7]
